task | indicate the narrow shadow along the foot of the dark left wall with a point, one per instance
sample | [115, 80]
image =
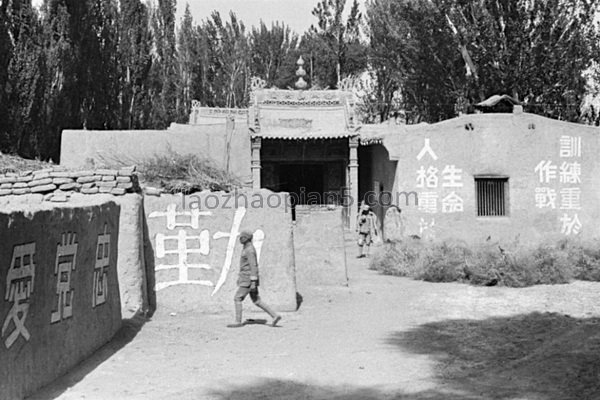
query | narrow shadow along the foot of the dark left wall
[126, 334]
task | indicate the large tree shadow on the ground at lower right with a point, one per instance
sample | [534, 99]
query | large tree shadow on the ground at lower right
[534, 356]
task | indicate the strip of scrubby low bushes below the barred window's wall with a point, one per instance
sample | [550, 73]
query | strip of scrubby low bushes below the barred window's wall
[490, 264]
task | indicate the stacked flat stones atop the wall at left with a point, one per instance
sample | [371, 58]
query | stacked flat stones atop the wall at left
[57, 184]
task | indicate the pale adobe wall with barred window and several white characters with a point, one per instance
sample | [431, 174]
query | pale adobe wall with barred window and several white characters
[551, 166]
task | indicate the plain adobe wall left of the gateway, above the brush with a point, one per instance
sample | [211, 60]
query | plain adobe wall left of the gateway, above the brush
[89, 149]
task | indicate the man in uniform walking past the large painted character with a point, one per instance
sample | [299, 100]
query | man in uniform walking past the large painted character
[248, 282]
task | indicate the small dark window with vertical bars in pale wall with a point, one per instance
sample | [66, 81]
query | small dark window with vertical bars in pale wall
[491, 196]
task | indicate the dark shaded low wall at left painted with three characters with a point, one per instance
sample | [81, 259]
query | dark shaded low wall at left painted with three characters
[59, 297]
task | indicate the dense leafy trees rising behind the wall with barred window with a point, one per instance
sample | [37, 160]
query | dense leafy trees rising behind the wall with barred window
[444, 54]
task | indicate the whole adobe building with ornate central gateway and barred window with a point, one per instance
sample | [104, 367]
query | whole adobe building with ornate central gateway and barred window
[478, 176]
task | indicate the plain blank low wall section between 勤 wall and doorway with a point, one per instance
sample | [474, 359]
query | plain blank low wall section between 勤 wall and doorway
[319, 246]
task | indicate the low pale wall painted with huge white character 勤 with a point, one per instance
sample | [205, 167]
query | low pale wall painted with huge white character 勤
[196, 252]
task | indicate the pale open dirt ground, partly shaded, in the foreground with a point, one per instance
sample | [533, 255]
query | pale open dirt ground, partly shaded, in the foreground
[380, 338]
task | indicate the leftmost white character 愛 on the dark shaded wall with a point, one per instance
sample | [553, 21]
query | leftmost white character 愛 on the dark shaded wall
[20, 281]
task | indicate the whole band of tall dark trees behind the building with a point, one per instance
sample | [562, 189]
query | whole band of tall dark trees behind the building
[129, 64]
